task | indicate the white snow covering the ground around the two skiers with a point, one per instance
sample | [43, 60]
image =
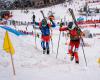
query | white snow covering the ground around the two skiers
[31, 64]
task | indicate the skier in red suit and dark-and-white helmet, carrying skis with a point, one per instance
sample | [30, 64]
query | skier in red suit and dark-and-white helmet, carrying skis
[75, 36]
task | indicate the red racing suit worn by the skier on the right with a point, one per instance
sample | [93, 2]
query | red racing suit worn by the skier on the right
[75, 36]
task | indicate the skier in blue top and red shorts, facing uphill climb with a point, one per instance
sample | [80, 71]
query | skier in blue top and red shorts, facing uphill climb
[45, 37]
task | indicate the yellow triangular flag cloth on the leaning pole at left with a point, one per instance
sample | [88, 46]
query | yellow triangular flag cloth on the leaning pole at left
[7, 46]
